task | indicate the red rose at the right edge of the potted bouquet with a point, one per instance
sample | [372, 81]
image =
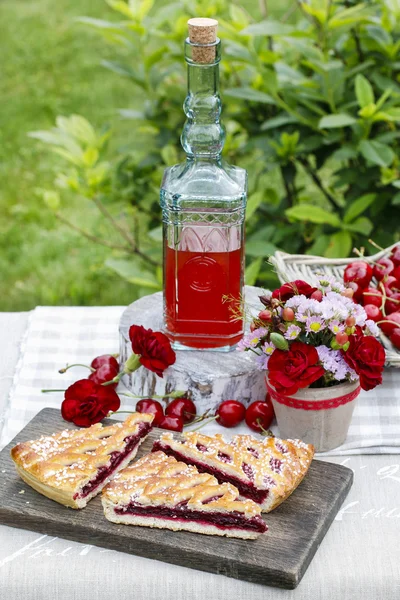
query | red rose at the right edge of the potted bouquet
[367, 357]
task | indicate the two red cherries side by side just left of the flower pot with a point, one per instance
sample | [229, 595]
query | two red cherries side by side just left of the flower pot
[258, 415]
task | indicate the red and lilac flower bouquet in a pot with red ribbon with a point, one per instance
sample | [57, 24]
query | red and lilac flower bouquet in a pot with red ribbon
[318, 348]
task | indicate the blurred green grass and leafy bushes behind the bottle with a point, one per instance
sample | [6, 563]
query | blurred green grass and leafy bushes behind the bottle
[311, 104]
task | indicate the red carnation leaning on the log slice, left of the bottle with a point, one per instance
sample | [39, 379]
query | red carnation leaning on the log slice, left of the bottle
[153, 348]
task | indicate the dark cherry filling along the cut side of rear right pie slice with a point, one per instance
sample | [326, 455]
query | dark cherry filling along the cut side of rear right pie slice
[248, 490]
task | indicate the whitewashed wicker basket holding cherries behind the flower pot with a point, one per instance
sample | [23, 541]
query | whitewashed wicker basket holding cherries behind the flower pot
[299, 266]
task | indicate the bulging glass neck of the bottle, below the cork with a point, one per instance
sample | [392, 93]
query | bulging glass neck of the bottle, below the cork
[203, 134]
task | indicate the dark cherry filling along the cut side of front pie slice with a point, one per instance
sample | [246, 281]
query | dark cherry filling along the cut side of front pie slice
[232, 520]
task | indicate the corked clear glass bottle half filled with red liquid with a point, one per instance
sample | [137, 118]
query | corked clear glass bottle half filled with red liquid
[203, 203]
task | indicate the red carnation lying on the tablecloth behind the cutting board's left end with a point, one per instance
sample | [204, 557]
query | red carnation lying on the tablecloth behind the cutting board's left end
[86, 402]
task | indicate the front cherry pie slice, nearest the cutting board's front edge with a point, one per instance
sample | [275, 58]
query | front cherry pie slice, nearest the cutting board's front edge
[158, 491]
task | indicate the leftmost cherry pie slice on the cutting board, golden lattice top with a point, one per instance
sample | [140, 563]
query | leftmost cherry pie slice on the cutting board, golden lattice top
[73, 466]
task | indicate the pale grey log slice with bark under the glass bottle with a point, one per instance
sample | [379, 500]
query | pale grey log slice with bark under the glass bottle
[210, 376]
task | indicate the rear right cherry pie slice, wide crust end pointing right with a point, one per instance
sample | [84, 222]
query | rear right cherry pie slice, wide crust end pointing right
[266, 471]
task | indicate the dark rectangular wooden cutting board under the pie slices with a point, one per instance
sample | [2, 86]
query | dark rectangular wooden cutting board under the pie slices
[278, 558]
